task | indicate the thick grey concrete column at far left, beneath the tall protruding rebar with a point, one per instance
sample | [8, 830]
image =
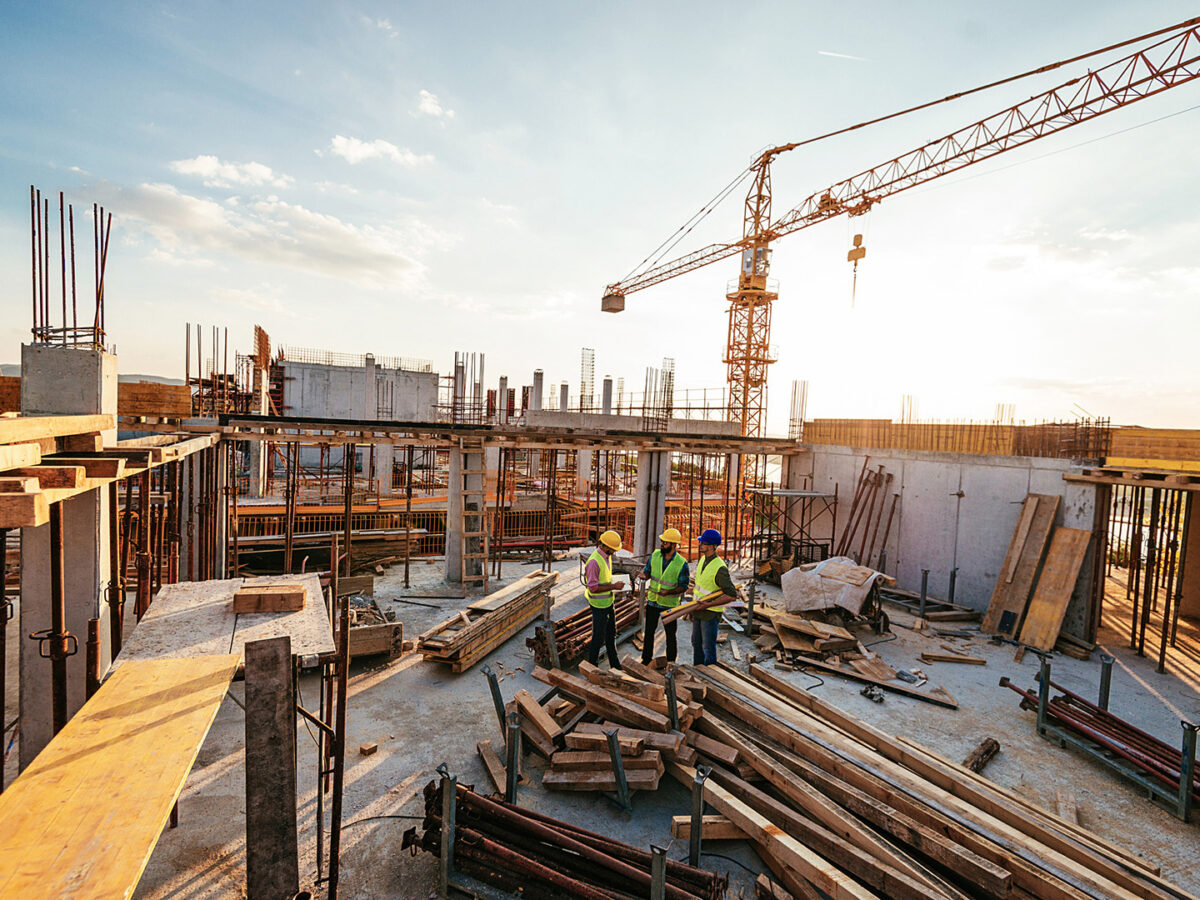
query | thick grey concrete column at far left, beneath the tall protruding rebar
[63, 381]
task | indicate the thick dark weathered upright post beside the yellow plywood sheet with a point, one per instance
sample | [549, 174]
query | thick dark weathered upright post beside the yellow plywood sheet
[273, 862]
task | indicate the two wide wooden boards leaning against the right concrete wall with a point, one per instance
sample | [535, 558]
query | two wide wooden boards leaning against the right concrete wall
[1037, 580]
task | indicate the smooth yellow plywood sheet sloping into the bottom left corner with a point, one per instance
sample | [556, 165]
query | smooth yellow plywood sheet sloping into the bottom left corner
[83, 819]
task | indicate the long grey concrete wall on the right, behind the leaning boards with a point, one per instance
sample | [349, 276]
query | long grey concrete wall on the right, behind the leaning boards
[958, 511]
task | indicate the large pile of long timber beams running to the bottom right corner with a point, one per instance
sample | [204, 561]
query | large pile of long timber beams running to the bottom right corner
[854, 813]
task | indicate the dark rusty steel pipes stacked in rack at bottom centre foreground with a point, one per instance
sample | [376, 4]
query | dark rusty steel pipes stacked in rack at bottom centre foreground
[518, 850]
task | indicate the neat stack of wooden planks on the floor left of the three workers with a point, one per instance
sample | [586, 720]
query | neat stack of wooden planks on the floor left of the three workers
[470, 635]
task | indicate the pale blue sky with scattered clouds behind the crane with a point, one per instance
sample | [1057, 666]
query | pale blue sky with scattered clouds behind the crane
[417, 179]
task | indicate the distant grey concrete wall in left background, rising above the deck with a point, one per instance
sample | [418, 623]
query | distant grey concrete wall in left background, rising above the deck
[353, 392]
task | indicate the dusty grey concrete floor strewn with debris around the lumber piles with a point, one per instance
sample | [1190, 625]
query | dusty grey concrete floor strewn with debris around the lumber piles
[421, 716]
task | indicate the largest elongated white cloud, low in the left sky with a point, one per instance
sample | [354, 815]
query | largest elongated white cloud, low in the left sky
[188, 230]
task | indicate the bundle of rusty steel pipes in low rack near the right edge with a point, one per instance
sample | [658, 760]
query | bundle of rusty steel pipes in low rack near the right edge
[1096, 724]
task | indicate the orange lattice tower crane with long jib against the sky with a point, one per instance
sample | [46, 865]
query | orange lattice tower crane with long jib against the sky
[1168, 63]
